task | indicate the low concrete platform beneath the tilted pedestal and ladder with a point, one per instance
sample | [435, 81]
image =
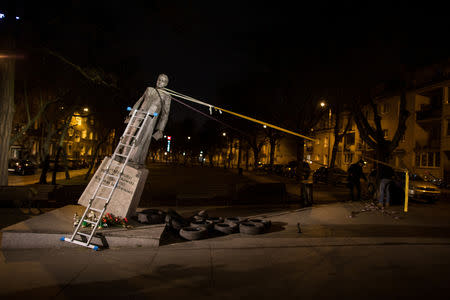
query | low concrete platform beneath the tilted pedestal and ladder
[45, 231]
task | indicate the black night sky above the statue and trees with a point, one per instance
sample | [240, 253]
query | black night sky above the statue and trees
[205, 46]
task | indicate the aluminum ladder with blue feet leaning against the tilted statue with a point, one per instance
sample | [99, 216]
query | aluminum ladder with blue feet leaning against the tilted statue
[135, 128]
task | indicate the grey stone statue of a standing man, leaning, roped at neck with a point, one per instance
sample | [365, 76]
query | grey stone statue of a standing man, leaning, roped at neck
[157, 102]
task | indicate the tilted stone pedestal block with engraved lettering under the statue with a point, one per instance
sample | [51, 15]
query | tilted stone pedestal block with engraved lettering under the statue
[127, 194]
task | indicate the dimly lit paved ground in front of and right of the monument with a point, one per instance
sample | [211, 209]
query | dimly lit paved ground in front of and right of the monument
[333, 258]
